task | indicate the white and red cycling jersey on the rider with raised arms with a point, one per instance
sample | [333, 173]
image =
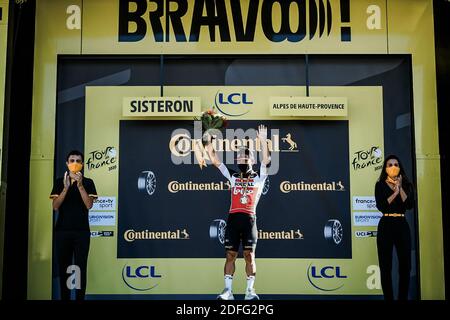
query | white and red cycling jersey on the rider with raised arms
[245, 189]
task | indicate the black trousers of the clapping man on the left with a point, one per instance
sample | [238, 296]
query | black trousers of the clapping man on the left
[72, 248]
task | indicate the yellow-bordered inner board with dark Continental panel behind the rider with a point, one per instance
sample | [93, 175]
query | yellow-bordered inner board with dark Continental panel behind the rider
[158, 209]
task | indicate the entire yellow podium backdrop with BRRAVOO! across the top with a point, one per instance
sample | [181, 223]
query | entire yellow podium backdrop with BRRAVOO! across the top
[339, 81]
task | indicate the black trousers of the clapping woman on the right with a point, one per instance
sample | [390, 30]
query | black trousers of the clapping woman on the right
[394, 232]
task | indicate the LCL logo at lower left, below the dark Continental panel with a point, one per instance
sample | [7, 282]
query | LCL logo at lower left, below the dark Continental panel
[141, 278]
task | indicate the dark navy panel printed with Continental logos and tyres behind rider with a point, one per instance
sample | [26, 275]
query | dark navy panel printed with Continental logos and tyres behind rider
[168, 210]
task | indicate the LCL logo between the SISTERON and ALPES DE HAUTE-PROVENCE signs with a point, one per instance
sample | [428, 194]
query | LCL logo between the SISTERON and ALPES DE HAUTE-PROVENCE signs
[233, 104]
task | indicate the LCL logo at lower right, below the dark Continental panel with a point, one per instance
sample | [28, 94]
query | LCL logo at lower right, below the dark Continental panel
[328, 278]
